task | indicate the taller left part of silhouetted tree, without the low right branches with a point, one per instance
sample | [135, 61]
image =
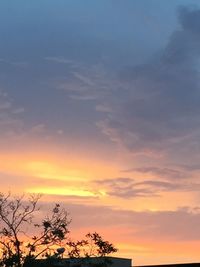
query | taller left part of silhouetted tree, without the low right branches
[15, 215]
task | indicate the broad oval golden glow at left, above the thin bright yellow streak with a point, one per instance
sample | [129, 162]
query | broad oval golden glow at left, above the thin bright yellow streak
[55, 167]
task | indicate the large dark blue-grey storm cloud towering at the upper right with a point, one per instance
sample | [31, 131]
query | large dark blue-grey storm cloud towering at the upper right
[160, 104]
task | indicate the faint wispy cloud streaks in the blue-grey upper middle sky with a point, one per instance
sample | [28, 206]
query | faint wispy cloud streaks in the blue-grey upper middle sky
[87, 81]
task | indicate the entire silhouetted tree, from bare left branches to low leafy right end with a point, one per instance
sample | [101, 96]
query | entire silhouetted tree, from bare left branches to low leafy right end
[18, 249]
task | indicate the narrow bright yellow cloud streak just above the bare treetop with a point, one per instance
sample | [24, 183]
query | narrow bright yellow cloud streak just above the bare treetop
[49, 186]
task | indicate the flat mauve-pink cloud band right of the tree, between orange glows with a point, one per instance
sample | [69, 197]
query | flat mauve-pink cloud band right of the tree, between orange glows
[147, 225]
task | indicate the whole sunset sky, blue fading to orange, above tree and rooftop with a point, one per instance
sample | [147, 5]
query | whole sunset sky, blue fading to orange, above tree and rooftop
[99, 111]
